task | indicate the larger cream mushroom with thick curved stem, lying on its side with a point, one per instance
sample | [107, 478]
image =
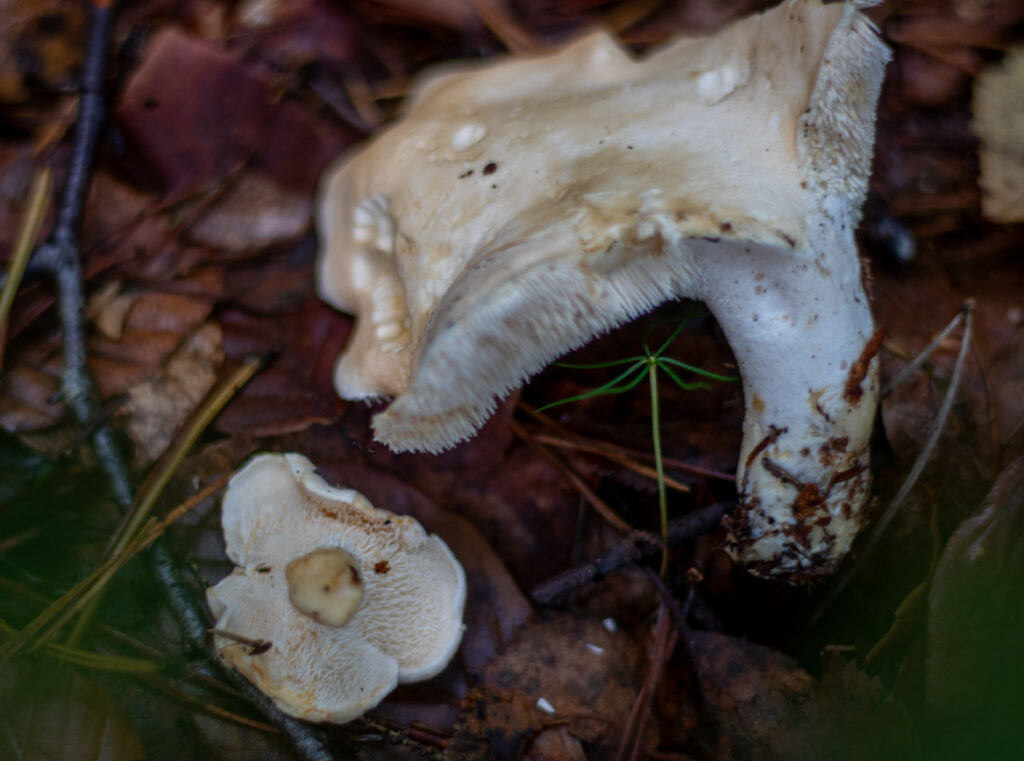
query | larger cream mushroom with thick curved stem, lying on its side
[521, 208]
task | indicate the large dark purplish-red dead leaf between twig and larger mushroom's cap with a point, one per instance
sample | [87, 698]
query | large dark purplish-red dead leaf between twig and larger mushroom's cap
[193, 115]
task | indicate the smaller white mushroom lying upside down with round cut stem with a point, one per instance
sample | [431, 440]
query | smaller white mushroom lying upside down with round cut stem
[352, 600]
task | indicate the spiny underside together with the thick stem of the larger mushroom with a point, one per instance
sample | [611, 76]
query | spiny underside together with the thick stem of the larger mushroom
[802, 334]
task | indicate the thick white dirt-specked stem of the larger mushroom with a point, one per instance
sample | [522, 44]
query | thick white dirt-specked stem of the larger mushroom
[800, 326]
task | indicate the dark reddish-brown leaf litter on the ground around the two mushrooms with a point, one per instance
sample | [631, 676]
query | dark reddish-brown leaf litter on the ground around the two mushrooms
[197, 253]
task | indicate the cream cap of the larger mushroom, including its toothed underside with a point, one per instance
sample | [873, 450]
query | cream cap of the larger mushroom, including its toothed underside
[531, 204]
